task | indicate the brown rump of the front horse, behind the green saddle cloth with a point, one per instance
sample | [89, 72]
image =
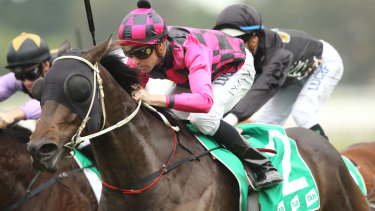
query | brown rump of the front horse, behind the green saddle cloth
[337, 189]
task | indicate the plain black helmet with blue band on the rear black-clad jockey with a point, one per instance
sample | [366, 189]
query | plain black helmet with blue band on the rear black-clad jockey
[238, 20]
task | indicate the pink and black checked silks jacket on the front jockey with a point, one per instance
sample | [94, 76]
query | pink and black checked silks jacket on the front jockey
[195, 58]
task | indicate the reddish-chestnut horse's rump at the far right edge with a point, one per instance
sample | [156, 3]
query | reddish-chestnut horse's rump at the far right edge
[363, 156]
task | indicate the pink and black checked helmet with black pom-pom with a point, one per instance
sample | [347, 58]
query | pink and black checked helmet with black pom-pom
[142, 26]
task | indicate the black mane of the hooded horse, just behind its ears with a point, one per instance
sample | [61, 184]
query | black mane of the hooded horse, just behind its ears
[122, 73]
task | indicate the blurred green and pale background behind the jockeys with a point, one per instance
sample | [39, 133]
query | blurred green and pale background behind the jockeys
[348, 25]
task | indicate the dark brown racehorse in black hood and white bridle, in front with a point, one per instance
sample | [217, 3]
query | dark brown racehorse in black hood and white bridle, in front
[132, 158]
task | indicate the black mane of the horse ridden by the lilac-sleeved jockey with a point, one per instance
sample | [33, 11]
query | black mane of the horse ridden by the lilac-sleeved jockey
[16, 133]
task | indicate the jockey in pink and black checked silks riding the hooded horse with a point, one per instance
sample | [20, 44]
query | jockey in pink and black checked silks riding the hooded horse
[211, 73]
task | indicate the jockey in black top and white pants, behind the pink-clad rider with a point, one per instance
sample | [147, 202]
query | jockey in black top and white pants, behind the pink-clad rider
[296, 73]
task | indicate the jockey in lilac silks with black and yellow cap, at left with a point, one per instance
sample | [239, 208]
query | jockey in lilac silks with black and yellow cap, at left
[29, 59]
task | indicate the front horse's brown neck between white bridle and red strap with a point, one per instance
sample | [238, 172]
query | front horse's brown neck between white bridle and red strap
[135, 146]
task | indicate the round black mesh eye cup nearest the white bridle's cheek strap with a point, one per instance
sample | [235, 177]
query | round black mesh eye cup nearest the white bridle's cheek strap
[77, 88]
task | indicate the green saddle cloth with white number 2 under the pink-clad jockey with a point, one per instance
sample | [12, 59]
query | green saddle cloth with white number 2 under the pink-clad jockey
[298, 191]
